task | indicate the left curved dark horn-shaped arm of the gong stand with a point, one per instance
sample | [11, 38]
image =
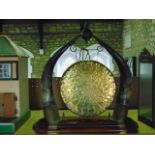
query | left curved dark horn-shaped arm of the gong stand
[50, 109]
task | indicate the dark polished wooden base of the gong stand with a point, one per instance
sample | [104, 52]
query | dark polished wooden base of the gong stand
[86, 127]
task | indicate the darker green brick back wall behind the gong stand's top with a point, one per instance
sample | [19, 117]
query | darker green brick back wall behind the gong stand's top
[56, 35]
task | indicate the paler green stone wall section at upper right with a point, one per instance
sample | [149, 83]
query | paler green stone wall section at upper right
[142, 35]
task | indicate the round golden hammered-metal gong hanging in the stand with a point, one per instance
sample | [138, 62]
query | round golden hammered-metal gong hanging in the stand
[88, 88]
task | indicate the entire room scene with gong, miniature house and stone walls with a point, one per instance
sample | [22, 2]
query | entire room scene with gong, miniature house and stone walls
[76, 76]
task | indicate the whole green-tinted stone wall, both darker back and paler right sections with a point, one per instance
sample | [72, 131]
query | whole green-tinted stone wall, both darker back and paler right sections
[55, 35]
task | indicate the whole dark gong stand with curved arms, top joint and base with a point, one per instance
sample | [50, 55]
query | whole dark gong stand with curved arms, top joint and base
[118, 123]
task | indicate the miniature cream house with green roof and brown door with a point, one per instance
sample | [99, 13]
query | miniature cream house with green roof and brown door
[14, 104]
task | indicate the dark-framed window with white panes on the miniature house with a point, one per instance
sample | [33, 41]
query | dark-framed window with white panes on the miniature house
[8, 70]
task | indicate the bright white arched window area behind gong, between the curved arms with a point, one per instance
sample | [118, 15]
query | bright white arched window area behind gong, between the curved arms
[69, 57]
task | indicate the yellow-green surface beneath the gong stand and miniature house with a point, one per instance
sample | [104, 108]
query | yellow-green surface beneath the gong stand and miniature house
[27, 129]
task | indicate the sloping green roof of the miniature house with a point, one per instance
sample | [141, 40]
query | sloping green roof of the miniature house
[9, 48]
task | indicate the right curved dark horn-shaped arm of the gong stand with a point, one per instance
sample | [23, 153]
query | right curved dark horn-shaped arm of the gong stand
[120, 112]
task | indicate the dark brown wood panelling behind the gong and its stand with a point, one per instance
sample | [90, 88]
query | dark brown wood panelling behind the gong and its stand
[35, 93]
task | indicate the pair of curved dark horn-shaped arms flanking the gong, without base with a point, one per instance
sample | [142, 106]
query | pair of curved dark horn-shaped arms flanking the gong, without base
[50, 109]
